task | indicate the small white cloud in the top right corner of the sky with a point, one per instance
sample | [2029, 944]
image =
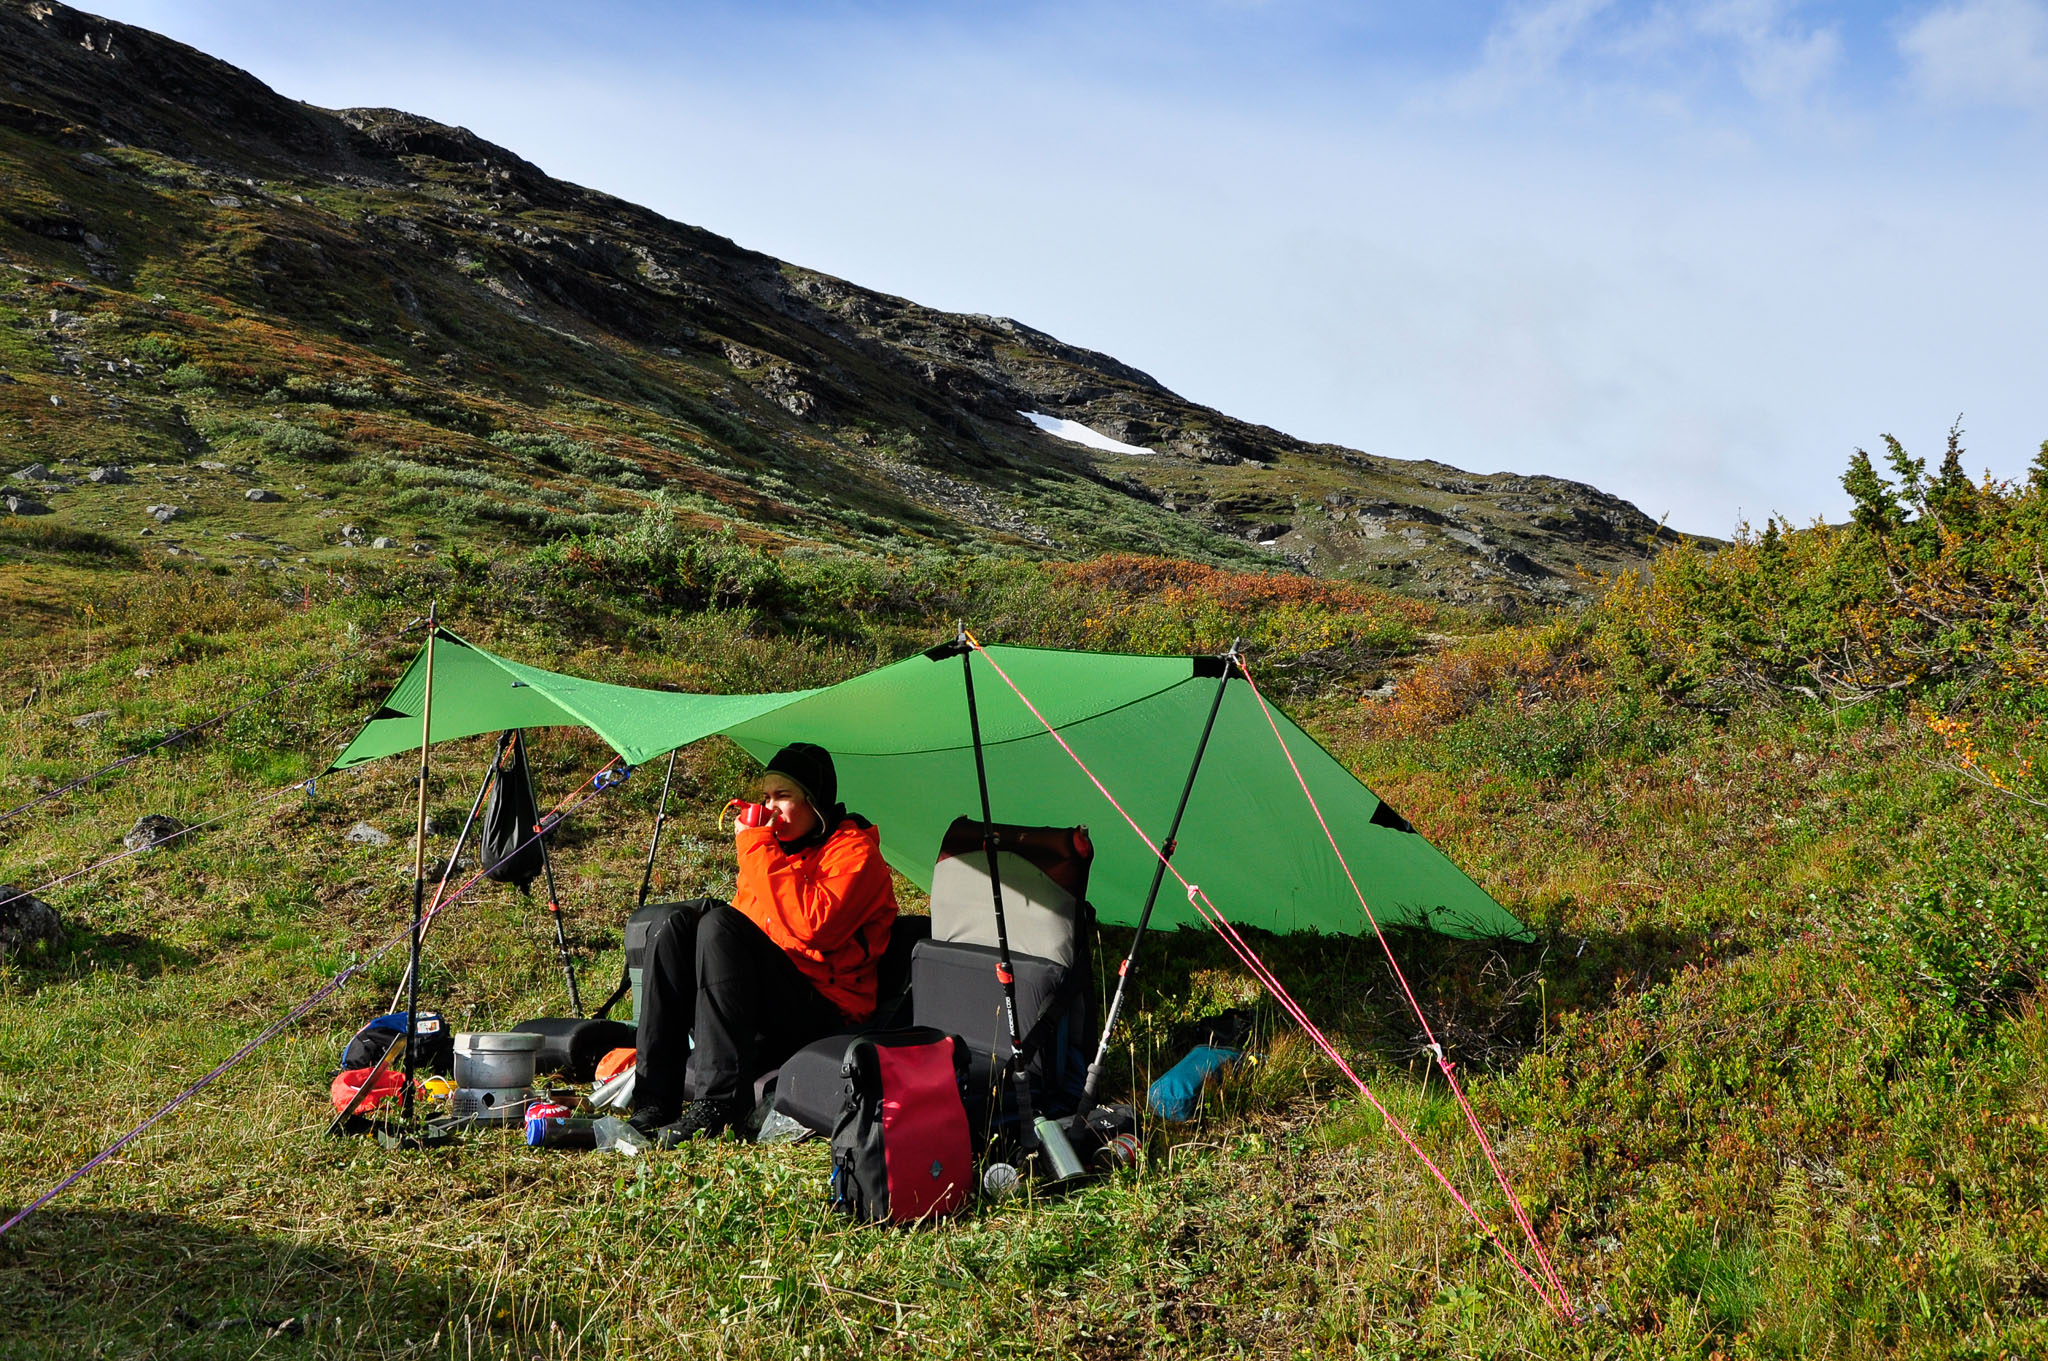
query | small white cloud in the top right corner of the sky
[1981, 52]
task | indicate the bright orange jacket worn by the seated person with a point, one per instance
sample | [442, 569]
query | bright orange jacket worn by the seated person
[830, 908]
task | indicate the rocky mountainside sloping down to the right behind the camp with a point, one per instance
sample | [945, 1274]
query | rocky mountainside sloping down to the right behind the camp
[304, 333]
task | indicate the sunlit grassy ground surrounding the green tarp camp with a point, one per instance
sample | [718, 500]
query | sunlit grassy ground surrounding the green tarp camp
[1736, 1116]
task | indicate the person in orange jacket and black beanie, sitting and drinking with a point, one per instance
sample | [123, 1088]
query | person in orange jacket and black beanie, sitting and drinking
[792, 959]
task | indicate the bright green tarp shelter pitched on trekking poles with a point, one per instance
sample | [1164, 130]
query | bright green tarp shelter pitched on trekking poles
[904, 750]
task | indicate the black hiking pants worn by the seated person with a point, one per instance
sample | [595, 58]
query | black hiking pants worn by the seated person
[718, 977]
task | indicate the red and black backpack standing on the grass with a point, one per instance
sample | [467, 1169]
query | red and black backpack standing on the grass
[900, 1149]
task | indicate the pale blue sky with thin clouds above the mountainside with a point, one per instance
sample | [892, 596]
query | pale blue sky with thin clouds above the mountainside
[1693, 253]
